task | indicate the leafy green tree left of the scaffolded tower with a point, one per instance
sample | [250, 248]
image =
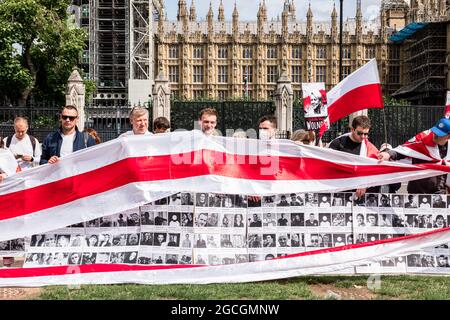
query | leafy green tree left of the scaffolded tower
[38, 48]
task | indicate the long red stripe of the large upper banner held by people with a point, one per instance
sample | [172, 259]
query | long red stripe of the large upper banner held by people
[200, 163]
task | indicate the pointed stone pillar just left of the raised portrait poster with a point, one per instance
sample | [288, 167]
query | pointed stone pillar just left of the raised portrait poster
[284, 100]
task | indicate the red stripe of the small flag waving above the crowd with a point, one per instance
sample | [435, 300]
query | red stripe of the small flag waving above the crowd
[364, 97]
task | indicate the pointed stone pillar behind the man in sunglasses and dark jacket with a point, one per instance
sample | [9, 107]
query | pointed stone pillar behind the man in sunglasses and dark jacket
[75, 96]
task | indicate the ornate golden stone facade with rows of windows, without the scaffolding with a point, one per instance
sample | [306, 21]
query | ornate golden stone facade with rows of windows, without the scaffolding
[215, 58]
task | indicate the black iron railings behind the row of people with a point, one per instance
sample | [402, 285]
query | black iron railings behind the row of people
[394, 124]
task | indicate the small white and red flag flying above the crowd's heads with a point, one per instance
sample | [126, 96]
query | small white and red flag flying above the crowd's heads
[360, 90]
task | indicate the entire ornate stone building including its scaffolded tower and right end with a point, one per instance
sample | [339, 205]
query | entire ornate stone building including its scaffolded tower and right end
[209, 57]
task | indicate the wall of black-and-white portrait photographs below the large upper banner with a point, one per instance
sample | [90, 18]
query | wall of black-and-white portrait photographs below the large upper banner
[213, 229]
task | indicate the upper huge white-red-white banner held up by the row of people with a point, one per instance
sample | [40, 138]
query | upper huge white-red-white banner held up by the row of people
[131, 171]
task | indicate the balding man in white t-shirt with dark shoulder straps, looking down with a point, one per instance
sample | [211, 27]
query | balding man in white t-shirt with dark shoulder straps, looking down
[25, 147]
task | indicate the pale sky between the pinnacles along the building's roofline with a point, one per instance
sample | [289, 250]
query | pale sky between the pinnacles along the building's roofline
[248, 8]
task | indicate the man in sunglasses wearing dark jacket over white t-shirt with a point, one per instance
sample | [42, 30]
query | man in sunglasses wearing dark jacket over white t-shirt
[65, 140]
